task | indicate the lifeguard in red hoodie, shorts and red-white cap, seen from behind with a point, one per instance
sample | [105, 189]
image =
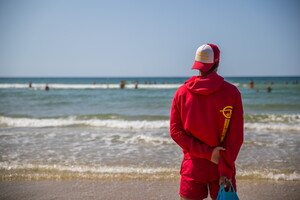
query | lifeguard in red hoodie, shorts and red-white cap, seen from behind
[207, 123]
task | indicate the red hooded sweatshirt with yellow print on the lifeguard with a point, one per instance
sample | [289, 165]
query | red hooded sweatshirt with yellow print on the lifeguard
[207, 112]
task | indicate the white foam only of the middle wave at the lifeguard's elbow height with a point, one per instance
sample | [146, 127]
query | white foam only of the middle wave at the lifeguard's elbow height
[133, 124]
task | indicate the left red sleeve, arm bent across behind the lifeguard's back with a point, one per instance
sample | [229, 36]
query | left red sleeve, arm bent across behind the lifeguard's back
[186, 141]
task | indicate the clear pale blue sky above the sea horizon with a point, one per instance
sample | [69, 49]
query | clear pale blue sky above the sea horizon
[63, 38]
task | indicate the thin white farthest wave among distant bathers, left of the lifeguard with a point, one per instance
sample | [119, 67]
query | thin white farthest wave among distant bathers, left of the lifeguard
[88, 86]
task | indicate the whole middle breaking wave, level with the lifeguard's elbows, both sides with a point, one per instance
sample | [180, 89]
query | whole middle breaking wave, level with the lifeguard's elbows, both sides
[256, 122]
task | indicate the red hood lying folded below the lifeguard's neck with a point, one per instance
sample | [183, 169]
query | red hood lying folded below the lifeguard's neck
[204, 85]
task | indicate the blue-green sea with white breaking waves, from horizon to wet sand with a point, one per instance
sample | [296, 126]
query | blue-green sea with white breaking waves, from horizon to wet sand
[90, 128]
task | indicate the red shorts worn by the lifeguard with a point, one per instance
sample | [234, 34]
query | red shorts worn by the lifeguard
[198, 176]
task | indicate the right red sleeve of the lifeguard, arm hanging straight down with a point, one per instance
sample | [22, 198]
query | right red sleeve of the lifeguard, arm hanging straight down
[233, 140]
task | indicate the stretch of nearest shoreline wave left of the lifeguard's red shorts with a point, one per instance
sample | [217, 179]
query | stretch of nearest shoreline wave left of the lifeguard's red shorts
[37, 172]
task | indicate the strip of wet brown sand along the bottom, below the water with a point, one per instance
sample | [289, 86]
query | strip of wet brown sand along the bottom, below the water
[134, 190]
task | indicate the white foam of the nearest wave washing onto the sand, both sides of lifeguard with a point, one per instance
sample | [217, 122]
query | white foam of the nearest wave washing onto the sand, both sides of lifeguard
[111, 171]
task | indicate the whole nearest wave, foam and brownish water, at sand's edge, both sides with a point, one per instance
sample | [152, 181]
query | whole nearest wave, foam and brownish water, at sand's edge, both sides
[43, 171]
